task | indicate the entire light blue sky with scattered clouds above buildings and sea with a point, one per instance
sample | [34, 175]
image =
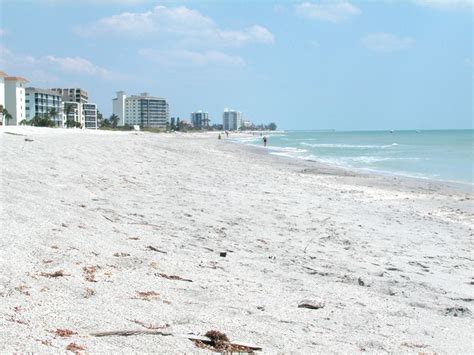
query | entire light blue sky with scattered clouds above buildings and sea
[345, 65]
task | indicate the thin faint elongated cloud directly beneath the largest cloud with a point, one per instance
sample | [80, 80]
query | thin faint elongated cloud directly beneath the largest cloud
[178, 57]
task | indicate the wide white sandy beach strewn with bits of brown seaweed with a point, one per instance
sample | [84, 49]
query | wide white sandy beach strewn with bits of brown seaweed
[98, 227]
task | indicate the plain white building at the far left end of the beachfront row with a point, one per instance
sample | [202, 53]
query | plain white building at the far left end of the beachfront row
[15, 98]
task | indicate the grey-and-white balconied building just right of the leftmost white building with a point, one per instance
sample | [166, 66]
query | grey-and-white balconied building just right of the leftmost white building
[40, 102]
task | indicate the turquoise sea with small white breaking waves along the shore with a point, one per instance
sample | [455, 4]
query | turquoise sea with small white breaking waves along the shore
[439, 155]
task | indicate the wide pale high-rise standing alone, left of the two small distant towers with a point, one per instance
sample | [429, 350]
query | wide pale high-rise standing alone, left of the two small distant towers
[143, 110]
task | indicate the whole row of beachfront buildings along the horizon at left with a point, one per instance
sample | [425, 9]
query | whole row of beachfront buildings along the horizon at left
[69, 107]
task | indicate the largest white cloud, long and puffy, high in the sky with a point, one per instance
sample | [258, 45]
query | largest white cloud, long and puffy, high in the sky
[181, 23]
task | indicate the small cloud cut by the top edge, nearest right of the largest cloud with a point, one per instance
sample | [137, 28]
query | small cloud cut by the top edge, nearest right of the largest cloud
[335, 12]
